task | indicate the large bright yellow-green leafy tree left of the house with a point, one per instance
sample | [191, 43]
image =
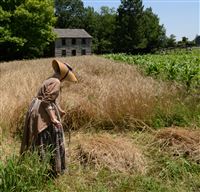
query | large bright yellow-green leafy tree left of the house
[25, 28]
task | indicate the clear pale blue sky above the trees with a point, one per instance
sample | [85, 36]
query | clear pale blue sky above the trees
[179, 17]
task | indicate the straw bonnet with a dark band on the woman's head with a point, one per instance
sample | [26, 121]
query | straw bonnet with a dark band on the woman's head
[65, 70]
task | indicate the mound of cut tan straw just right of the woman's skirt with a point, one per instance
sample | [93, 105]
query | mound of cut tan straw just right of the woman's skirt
[117, 154]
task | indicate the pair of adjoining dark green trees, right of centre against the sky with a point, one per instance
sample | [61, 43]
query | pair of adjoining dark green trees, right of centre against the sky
[137, 29]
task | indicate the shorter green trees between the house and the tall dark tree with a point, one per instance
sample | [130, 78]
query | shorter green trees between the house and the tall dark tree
[101, 26]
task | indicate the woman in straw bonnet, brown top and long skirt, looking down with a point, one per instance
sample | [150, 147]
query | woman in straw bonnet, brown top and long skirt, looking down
[43, 129]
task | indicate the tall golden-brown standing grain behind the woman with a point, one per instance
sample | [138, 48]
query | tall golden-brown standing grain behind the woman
[107, 94]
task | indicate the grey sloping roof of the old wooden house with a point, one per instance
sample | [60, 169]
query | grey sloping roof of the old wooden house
[72, 33]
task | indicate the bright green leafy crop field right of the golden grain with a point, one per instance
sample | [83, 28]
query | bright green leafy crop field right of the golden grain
[182, 66]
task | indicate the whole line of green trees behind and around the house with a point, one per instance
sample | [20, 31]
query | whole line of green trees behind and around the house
[26, 27]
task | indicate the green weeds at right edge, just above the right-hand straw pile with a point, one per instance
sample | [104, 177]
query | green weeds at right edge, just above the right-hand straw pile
[179, 113]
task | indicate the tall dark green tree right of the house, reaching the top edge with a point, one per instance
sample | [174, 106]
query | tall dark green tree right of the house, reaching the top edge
[129, 31]
